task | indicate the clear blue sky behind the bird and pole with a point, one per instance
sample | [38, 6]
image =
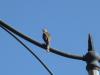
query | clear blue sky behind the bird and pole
[68, 21]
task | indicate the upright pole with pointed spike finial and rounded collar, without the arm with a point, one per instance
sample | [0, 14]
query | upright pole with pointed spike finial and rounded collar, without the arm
[92, 58]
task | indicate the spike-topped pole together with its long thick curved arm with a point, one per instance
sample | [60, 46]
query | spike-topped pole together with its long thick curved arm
[91, 57]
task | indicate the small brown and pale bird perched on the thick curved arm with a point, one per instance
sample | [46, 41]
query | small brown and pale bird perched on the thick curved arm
[47, 39]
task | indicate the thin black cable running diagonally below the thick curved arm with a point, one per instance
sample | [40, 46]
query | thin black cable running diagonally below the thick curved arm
[28, 50]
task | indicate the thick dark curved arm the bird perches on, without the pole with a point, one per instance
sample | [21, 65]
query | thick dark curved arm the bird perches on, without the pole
[55, 51]
